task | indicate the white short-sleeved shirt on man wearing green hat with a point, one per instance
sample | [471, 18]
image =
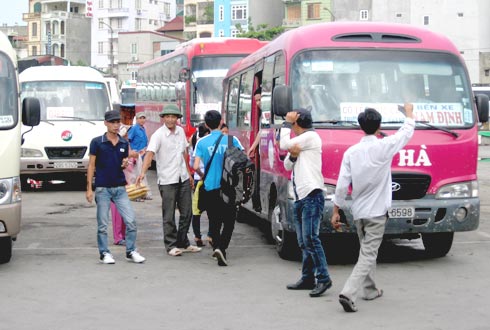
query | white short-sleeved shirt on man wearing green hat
[169, 151]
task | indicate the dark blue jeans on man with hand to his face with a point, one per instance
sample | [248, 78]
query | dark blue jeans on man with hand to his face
[307, 216]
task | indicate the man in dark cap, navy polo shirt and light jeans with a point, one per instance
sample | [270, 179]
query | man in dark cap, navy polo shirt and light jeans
[108, 158]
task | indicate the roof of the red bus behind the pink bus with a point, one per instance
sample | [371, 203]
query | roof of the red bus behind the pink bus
[212, 46]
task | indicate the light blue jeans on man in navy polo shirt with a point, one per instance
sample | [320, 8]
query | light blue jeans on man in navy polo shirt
[103, 198]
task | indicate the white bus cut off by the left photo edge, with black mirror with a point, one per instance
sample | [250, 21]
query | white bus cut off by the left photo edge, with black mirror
[10, 137]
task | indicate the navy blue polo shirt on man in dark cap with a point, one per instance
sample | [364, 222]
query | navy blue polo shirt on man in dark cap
[108, 161]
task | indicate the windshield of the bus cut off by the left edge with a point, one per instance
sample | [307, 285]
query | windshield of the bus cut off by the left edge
[8, 94]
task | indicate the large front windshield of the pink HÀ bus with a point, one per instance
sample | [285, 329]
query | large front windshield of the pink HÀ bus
[337, 85]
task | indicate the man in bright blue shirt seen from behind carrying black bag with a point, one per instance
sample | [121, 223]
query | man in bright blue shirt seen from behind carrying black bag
[220, 214]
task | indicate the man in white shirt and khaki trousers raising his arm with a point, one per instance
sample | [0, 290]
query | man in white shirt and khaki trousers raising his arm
[367, 167]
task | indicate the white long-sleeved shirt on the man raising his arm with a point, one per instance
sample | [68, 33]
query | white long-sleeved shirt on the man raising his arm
[367, 166]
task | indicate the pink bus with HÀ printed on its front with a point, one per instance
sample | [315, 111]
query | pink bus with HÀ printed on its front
[336, 70]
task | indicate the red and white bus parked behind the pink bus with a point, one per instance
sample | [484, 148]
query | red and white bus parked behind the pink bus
[190, 77]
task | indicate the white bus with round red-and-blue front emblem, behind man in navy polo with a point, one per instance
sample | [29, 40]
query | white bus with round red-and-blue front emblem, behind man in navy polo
[73, 102]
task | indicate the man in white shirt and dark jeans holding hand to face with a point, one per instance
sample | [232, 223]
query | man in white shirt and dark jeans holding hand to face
[305, 160]
